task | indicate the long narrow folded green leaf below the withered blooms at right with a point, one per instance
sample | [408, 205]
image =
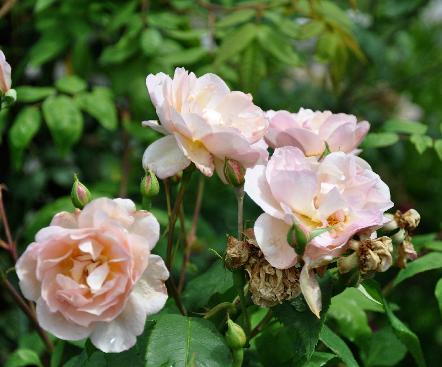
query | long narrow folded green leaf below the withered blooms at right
[405, 335]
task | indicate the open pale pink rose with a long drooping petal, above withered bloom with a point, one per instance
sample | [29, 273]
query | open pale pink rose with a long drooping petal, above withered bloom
[340, 193]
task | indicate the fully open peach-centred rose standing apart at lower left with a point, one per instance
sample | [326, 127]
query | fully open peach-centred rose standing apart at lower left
[91, 274]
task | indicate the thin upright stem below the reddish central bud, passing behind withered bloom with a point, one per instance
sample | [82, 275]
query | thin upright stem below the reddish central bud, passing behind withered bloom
[239, 273]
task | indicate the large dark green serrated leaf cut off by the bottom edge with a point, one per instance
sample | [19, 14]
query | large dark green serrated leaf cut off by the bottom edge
[186, 341]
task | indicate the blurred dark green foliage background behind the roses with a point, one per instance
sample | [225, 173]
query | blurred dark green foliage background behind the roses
[79, 68]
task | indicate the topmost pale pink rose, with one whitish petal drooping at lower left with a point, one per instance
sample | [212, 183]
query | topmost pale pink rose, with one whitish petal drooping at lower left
[204, 123]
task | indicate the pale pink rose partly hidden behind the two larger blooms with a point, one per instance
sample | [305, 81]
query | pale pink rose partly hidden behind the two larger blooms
[310, 130]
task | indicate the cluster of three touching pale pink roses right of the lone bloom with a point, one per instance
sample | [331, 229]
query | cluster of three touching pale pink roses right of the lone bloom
[205, 123]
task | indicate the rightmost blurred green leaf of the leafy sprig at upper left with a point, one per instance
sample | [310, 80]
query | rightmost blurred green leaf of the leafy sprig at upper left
[100, 105]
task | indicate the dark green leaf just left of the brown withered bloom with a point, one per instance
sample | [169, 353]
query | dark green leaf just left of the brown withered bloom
[216, 280]
